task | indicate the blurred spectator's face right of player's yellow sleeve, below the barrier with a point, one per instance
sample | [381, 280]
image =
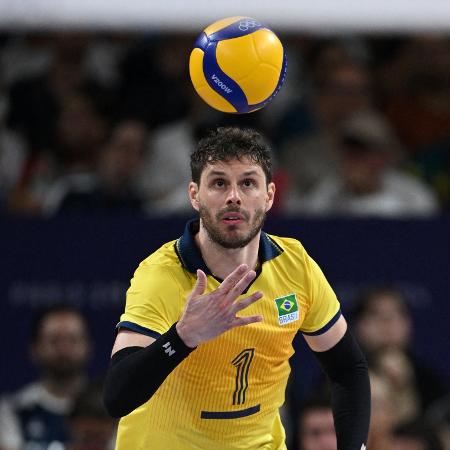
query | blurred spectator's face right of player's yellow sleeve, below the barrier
[385, 324]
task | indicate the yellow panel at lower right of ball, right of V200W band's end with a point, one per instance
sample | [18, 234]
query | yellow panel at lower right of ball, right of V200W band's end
[260, 84]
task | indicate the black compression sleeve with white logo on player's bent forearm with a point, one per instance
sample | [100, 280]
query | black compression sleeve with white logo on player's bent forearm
[136, 373]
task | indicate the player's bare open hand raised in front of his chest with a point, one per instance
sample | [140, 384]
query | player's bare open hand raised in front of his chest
[209, 315]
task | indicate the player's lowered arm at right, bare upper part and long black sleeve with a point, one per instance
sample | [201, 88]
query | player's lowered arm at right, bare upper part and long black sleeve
[346, 367]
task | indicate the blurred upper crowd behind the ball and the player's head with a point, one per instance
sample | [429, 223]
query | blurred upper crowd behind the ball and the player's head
[106, 122]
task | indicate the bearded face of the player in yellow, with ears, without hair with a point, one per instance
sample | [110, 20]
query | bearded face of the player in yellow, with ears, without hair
[232, 200]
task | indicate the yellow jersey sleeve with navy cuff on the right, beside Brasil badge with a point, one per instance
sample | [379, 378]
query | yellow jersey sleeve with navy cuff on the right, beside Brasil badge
[324, 308]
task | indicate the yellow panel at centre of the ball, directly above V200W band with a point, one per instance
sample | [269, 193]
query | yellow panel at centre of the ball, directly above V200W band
[237, 57]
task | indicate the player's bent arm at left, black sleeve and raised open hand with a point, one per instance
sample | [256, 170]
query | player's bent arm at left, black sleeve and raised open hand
[140, 364]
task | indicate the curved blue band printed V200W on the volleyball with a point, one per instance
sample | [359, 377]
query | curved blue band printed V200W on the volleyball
[220, 82]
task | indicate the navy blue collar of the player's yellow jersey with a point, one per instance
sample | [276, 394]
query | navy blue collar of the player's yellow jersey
[191, 258]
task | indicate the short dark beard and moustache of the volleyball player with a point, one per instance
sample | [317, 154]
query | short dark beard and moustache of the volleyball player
[235, 240]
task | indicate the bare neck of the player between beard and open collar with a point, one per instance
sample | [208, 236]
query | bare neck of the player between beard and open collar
[222, 261]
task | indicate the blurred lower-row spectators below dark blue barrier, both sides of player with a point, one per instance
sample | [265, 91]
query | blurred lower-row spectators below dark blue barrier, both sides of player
[62, 409]
